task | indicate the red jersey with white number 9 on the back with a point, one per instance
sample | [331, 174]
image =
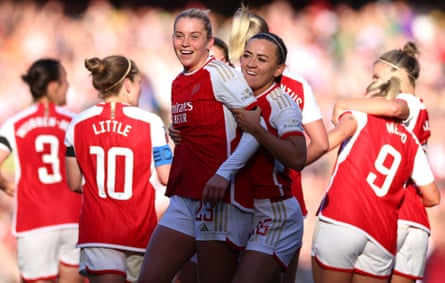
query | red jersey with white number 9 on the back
[366, 186]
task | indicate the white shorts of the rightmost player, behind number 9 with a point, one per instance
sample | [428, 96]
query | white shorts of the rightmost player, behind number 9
[412, 247]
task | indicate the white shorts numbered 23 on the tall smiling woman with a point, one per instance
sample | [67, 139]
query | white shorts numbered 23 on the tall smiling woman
[220, 222]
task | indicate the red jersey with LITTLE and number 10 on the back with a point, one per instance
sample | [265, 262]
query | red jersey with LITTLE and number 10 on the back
[113, 144]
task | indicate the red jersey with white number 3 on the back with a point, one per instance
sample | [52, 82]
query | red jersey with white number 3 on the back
[35, 138]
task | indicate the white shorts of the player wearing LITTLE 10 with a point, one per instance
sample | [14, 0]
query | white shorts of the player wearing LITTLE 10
[94, 261]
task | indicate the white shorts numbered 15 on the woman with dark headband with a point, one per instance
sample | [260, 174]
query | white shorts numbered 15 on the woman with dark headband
[277, 229]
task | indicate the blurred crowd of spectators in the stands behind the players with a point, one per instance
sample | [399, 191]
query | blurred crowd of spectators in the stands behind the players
[332, 46]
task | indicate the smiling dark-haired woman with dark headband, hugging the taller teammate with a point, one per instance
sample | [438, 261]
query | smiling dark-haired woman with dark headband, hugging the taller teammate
[277, 215]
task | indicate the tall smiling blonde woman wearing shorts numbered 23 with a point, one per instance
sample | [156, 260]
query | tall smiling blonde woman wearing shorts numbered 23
[202, 98]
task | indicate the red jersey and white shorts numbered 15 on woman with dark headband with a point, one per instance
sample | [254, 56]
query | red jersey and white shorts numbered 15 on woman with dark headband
[278, 222]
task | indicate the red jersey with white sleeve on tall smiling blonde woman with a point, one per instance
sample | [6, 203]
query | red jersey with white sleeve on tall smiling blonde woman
[201, 103]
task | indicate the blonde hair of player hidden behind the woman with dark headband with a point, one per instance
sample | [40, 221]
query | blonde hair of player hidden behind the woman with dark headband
[244, 26]
